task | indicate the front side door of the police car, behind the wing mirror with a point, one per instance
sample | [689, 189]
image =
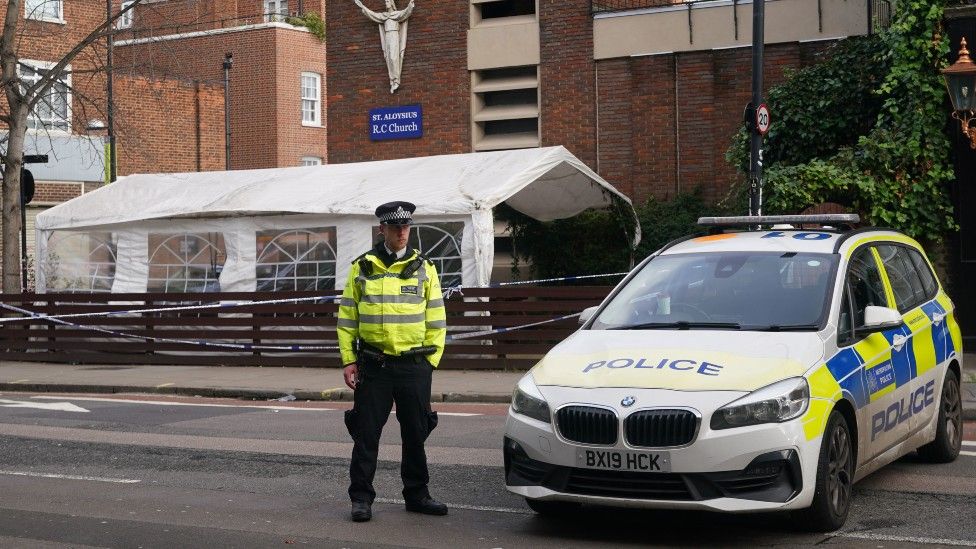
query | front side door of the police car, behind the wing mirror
[872, 385]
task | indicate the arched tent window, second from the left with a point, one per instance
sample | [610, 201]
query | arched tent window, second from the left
[186, 262]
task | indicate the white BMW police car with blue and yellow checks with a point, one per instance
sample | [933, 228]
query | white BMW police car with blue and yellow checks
[744, 371]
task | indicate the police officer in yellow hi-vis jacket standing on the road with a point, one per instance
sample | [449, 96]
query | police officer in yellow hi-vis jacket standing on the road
[391, 331]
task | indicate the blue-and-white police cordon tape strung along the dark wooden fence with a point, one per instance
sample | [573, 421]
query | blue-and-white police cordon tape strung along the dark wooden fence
[59, 319]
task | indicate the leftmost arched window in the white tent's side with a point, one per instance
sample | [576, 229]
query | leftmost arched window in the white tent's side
[79, 262]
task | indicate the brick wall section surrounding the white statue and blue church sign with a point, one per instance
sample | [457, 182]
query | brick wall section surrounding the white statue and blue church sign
[434, 75]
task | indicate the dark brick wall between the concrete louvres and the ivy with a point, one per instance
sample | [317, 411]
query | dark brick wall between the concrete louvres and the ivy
[651, 146]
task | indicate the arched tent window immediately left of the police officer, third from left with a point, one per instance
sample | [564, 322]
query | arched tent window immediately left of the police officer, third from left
[296, 259]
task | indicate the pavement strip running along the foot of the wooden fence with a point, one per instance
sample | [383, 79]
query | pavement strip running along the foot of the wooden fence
[267, 383]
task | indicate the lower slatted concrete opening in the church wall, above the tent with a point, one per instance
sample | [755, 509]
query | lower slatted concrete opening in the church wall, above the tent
[505, 108]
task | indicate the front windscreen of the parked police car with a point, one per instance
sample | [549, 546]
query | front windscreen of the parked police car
[734, 290]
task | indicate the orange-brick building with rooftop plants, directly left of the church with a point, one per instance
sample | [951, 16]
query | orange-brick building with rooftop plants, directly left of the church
[276, 82]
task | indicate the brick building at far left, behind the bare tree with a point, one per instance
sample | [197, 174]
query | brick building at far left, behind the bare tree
[172, 125]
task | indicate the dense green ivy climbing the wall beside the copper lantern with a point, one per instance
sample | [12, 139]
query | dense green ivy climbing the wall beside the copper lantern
[895, 171]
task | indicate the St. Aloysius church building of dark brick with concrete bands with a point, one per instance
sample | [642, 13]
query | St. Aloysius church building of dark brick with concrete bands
[646, 94]
